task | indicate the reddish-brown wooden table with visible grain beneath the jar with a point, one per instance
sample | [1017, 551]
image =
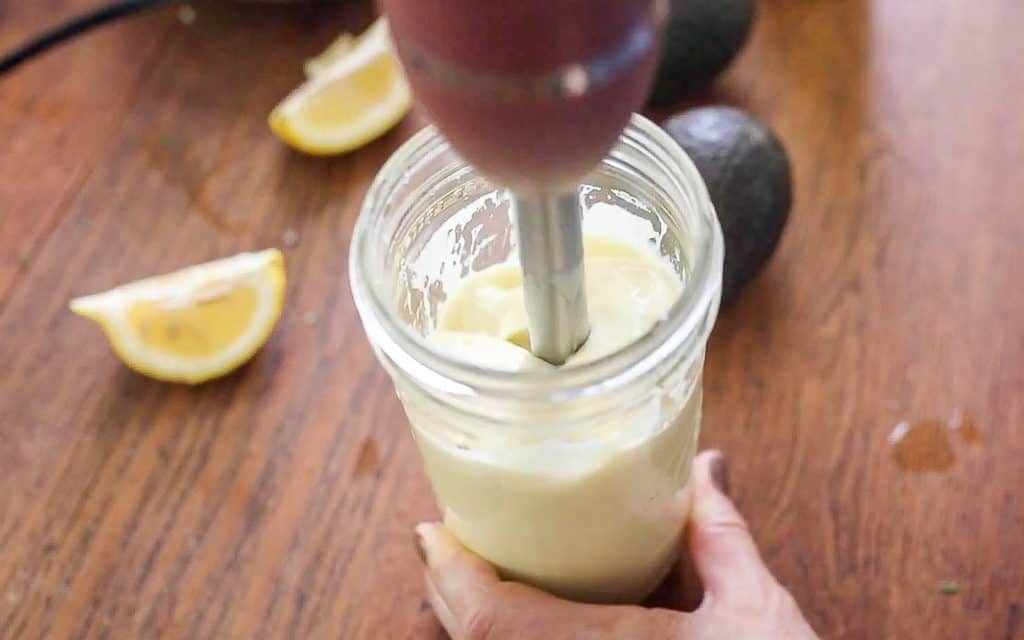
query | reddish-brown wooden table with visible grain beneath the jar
[278, 503]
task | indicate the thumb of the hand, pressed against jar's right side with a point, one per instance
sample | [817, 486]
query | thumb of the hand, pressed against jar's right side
[724, 553]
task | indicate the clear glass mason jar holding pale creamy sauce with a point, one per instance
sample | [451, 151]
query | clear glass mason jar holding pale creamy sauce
[573, 480]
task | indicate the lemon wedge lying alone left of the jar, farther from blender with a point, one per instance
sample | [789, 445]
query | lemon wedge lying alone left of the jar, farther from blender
[196, 324]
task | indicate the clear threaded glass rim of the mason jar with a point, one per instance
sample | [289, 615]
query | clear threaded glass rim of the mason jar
[687, 322]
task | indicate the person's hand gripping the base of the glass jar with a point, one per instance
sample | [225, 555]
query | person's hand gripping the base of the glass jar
[742, 602]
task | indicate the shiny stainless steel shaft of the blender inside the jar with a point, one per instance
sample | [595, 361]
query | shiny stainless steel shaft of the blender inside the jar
[550, 232]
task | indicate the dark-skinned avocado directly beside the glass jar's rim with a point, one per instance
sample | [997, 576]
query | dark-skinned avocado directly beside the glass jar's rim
[748, 176]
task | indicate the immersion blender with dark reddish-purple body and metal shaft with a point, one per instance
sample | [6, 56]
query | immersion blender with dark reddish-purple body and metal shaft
[534, 94]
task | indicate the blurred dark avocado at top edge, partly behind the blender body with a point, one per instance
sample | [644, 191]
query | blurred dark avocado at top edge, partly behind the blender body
[700, 40]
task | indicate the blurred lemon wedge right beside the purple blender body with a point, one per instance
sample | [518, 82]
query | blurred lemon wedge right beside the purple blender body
[357, 93]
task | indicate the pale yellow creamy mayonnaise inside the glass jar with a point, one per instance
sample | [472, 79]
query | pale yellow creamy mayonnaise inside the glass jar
[595, 515]
